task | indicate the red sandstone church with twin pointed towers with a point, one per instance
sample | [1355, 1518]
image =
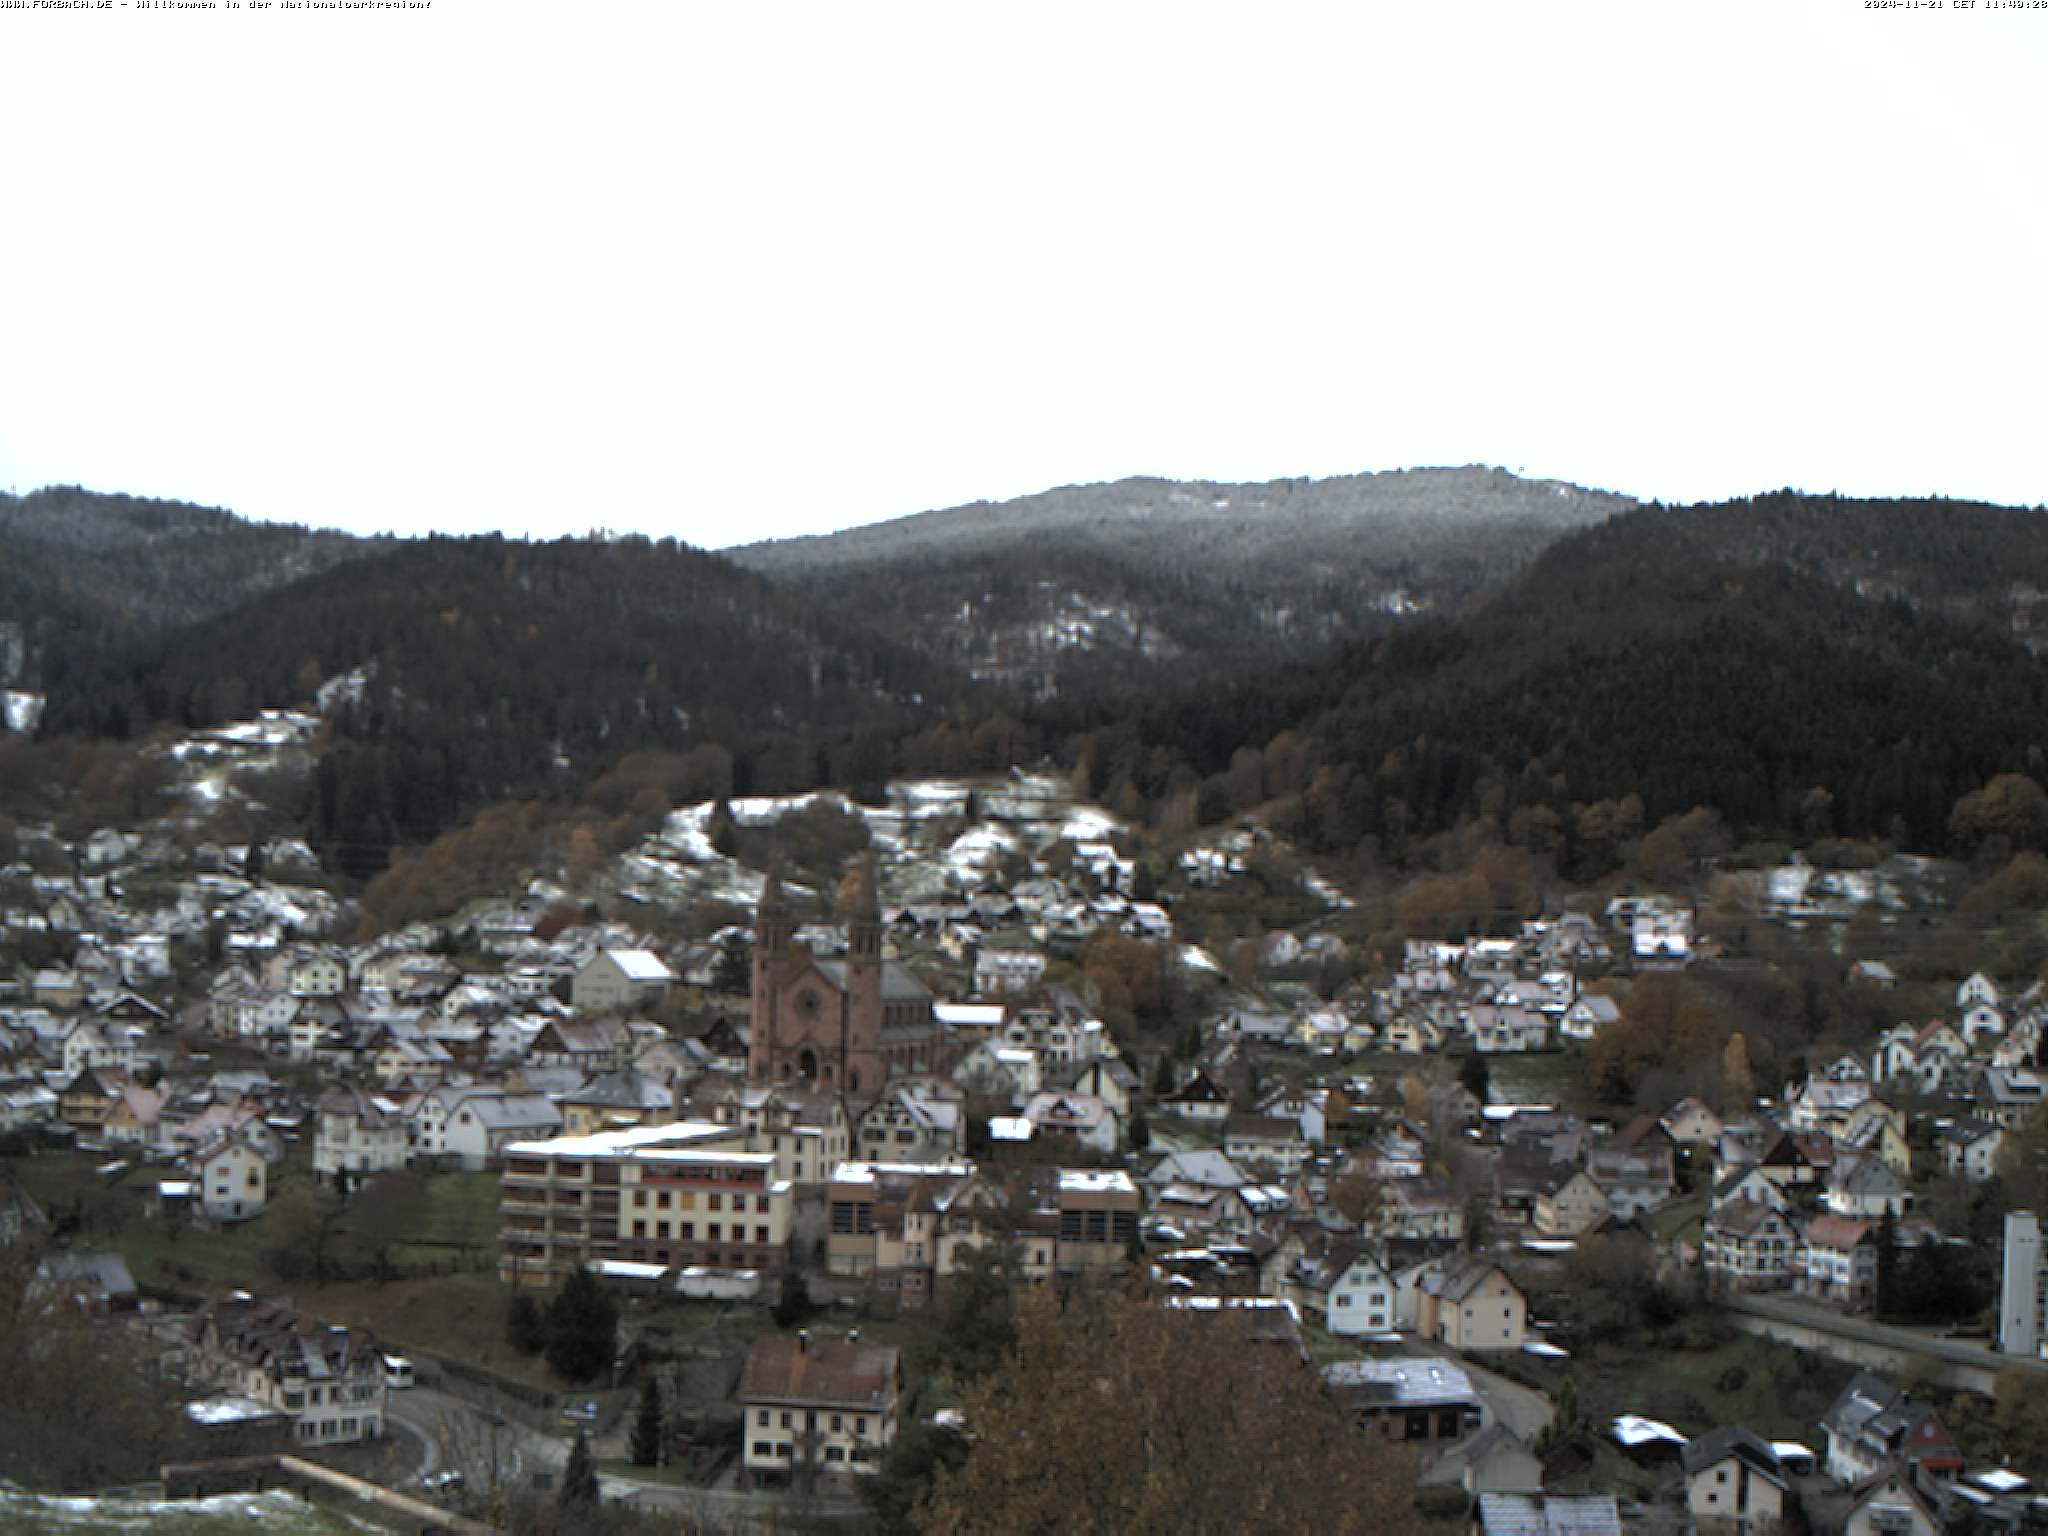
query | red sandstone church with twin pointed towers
[845, 1025]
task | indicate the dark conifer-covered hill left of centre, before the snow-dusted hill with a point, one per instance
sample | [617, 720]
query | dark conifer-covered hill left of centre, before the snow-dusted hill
[490, 669]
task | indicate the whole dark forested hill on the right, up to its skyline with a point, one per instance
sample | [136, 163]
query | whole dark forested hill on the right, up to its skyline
[1738, 656]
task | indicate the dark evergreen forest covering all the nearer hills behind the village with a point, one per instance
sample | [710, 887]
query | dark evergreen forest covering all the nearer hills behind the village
[1805, 667]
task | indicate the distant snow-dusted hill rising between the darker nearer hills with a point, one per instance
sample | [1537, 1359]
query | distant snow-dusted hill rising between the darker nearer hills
[1144, 581]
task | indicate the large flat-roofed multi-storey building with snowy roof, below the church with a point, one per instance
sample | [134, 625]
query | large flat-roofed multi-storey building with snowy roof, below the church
[675, 1195]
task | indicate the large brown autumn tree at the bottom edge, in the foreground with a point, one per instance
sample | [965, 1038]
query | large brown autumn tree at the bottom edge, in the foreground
[1117, 1414]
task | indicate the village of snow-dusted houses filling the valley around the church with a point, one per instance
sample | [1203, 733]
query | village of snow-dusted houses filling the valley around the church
[873, 1095]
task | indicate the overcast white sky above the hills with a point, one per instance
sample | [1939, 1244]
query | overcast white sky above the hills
[761, 269]
